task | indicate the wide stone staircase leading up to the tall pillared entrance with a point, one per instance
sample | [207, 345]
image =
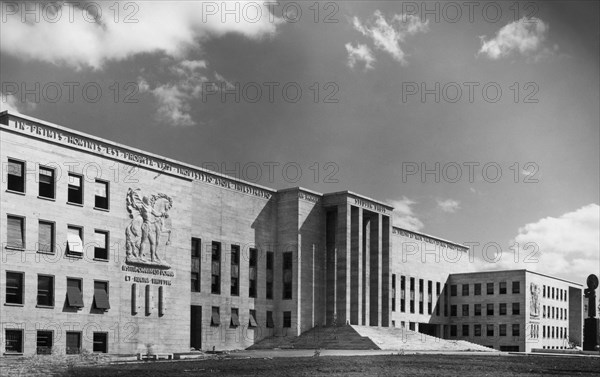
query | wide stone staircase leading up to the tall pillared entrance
[352, 337]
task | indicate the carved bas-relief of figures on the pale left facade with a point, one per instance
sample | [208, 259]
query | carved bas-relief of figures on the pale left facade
[149, 221]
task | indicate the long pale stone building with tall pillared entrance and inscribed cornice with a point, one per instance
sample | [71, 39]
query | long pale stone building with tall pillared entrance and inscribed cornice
[113, 249]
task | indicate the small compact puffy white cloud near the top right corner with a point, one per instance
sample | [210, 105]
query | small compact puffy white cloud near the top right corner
[525, 36]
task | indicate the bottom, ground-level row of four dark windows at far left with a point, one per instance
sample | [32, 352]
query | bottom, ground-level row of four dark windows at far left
[45, 341]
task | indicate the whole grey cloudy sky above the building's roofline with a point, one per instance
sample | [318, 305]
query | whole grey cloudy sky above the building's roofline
[479, 123]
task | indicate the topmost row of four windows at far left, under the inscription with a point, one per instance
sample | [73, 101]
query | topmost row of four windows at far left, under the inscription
[47, 184]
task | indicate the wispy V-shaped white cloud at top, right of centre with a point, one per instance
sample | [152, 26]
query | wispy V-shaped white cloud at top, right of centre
[386, 36]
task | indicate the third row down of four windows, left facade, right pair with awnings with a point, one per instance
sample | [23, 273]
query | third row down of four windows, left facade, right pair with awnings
[15, 291]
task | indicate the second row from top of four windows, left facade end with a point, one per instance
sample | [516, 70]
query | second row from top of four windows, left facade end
[46, 243]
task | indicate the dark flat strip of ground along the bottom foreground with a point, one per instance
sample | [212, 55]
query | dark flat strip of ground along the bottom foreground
[383, 365]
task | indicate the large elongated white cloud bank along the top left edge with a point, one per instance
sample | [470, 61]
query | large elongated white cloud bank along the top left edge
[77, 41]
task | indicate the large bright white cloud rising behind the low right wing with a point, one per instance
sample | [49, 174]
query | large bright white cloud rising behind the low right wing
[567, 245]
